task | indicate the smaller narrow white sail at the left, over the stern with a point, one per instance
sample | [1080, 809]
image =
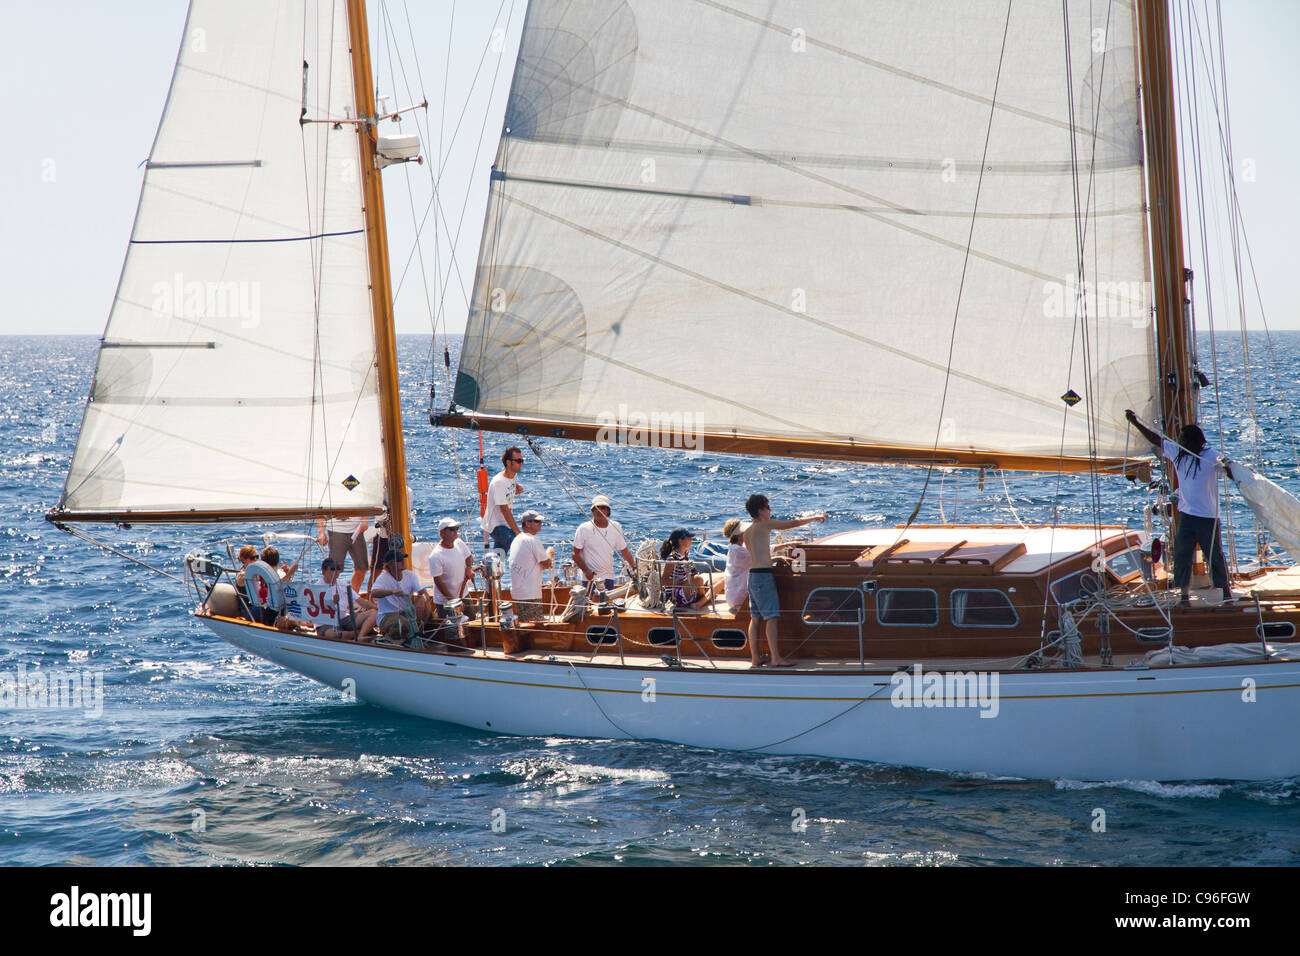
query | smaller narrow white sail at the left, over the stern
[237, 371]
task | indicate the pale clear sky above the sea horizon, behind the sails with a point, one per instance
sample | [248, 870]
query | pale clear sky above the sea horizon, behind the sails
[88, 80]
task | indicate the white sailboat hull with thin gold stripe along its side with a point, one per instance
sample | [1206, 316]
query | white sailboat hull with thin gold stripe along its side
[1165, 724]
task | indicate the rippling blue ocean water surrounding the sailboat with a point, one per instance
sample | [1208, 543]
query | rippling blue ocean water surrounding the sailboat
[203, 755]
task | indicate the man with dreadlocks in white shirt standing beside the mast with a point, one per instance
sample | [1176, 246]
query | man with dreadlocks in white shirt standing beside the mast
[1198, 504]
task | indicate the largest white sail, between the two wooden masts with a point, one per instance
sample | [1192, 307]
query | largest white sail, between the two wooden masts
[757, 214]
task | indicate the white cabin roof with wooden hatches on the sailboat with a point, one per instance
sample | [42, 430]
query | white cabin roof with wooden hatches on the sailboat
[1043, 547]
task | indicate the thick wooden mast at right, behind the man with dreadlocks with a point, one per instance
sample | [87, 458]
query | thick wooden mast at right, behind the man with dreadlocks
[1178, 391]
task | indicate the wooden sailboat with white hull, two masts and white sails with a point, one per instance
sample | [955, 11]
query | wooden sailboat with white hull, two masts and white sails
[863, 210]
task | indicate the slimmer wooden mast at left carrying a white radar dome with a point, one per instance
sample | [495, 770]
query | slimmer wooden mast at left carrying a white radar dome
[382, 283]
